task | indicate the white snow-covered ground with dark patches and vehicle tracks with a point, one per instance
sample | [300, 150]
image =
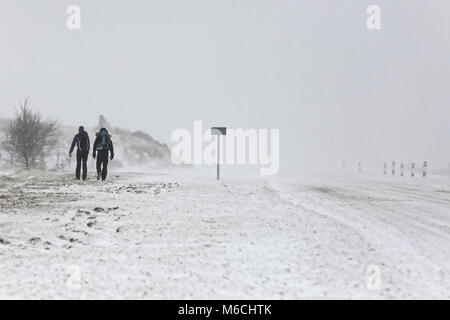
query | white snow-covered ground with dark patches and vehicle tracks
[172, 235]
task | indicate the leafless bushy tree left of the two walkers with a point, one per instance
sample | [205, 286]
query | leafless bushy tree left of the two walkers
[28, 137]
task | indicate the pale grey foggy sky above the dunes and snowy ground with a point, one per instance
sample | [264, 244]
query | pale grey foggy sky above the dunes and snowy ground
[334, 88]
